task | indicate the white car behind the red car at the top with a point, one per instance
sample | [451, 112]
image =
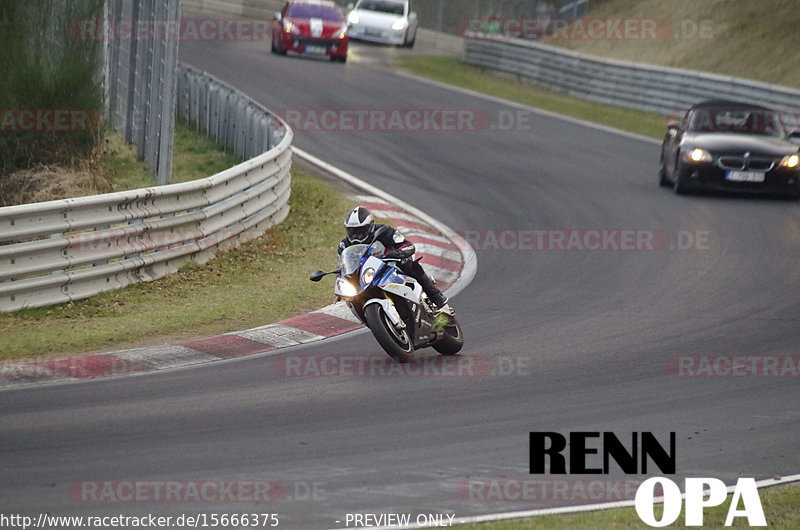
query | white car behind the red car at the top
[384, 21]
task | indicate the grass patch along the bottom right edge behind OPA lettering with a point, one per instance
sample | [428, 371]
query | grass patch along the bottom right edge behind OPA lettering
[779, 504]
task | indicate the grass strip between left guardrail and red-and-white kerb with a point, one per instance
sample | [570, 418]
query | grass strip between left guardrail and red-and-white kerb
[261, 282]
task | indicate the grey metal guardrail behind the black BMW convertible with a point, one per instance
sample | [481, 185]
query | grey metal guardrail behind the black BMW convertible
[637, 86]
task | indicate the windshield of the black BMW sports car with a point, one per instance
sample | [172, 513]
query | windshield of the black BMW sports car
[739, 120]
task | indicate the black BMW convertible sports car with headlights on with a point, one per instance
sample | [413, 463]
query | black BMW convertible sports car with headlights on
[731, 146]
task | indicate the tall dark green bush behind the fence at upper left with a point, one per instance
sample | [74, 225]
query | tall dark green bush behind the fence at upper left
[43, 68]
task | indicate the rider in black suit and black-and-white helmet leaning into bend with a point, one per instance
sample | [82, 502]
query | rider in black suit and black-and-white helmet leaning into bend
[360, 225]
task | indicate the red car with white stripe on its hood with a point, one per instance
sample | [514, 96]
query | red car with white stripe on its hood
[313, 27]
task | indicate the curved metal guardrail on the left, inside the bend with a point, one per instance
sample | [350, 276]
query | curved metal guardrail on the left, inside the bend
[58, 251]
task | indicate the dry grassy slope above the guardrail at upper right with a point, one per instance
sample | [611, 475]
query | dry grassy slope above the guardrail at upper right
[740, 38]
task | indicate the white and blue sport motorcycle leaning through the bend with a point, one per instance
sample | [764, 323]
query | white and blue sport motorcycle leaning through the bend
[391, 304]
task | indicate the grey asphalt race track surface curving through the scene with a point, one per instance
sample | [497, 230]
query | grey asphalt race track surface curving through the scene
[589, 333]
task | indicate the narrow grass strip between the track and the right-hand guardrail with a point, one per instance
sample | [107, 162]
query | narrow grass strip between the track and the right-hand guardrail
[456, 72]
